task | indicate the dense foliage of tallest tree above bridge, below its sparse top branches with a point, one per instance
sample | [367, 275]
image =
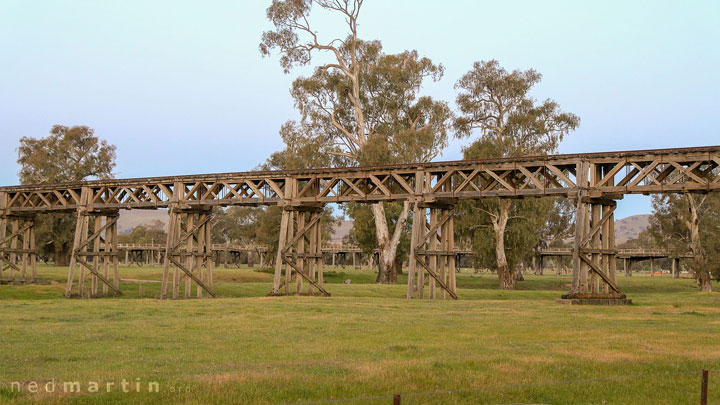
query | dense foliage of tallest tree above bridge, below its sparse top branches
[400, 126]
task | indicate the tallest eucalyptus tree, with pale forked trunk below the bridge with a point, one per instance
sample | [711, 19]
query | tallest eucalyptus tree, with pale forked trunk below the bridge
[360, 107]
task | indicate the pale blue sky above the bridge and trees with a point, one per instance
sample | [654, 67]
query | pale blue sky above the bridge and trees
[180, 87]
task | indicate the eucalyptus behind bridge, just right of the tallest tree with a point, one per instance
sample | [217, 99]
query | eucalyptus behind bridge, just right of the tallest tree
[496, 105]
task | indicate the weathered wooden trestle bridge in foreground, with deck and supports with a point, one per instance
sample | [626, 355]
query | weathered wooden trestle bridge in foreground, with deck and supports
[595, 181]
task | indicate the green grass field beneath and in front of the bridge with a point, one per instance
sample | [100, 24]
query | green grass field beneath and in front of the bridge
[366, 341]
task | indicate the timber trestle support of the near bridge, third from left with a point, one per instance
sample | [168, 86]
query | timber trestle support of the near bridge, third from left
[189, 253]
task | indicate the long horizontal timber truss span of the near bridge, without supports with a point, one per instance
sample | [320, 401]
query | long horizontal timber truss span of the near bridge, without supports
[633, 172]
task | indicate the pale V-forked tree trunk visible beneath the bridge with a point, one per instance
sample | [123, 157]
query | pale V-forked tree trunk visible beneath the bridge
[387, 245]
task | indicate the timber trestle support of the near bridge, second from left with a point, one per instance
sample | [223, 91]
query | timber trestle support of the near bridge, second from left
[94, 253]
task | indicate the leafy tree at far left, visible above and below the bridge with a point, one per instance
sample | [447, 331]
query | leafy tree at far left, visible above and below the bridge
[68, 154]
